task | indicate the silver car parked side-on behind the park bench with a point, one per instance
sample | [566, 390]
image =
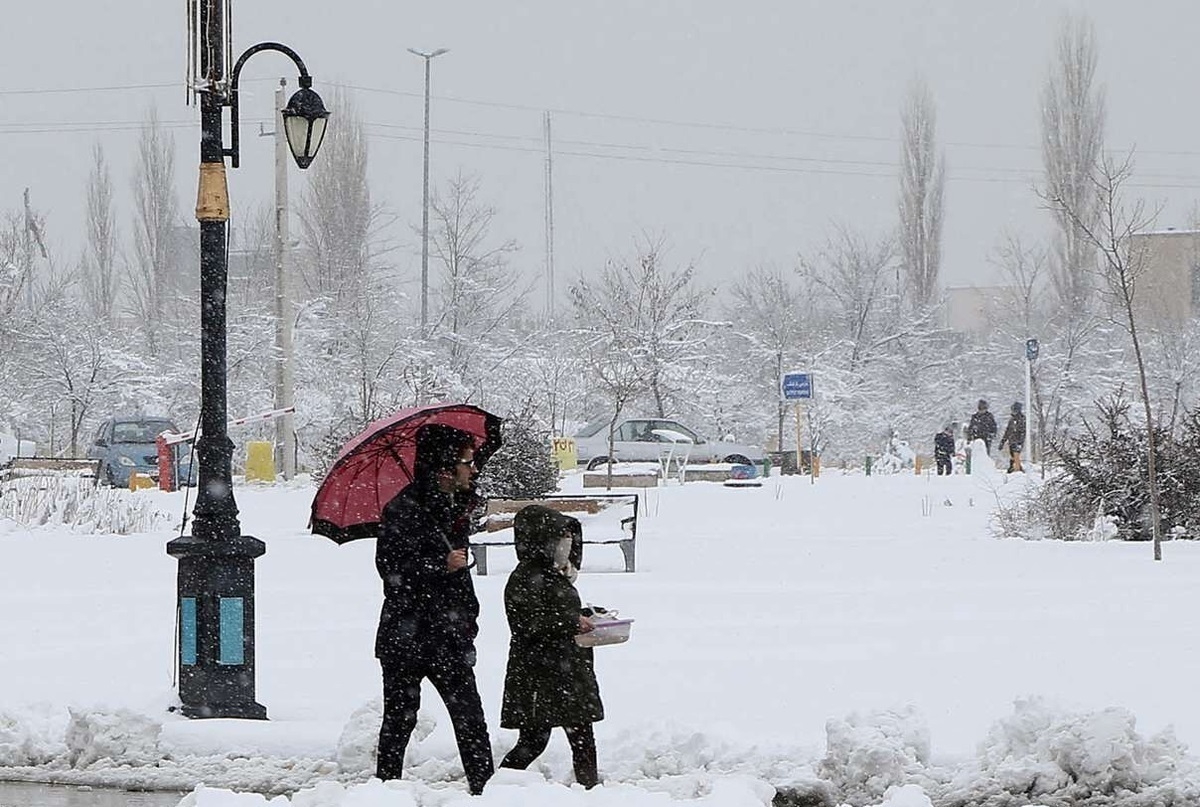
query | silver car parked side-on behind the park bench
[646, 440]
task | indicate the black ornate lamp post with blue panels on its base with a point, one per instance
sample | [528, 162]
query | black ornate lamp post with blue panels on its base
[217, 563]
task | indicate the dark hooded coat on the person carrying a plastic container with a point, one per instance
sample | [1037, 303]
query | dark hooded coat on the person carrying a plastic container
[550, 680]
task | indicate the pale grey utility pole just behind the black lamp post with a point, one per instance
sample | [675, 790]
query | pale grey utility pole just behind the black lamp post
[285, 375]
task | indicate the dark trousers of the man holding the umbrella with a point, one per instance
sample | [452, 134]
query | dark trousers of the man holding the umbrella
[455, 682]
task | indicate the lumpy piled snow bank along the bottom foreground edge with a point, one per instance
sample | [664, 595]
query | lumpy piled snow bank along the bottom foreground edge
[1040, 756]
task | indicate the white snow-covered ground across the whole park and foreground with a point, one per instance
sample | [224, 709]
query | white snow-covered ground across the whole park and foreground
[862, 639]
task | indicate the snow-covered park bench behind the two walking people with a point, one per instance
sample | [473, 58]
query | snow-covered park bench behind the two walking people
[607, 519]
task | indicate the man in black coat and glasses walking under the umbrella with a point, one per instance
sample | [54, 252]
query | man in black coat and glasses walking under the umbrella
[428, 625]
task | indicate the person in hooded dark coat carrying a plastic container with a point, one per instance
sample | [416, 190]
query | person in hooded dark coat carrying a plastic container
[550, 680]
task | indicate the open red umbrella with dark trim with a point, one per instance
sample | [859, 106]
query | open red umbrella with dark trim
[377, 464]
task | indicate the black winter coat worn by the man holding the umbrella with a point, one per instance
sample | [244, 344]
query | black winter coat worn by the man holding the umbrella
[427, 611]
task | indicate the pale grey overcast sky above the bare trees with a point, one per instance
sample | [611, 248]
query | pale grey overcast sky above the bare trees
[739, 131]
